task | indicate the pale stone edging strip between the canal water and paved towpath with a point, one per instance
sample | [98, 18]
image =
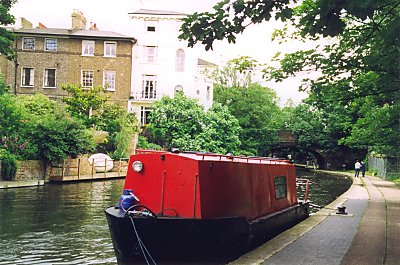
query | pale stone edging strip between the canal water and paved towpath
[273, 246]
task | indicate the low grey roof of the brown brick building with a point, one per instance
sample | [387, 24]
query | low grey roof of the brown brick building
[95, 34]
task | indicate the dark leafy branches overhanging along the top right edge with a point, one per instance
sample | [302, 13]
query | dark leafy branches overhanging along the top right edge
[230, 18]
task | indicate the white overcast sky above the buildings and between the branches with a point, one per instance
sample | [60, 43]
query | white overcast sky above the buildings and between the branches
[113, 16]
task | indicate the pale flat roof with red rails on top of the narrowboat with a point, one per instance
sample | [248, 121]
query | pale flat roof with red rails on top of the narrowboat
[205, 156]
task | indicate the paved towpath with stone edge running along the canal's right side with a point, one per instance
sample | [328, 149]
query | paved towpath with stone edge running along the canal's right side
[369, 234]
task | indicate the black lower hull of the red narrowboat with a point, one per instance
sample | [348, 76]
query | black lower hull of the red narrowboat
[172, 240]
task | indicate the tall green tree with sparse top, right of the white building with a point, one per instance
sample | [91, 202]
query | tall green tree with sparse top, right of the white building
[254, 106]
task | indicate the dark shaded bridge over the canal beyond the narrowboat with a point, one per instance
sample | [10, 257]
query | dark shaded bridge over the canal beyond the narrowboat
[288, 145]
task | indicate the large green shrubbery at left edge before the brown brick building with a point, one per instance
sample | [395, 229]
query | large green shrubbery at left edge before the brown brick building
[34, 127]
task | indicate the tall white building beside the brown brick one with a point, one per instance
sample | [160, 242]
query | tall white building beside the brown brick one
[162, 64]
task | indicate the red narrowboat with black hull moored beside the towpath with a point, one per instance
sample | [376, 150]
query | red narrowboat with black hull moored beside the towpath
[201, 208]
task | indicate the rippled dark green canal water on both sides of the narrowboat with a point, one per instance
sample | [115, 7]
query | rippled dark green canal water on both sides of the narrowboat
[65, 224]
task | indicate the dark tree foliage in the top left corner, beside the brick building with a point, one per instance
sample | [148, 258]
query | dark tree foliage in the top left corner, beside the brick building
[7, 38]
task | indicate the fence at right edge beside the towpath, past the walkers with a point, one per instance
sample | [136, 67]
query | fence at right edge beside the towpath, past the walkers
[385, 167]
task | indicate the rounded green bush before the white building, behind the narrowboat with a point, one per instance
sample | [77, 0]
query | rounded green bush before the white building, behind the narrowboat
[182, 123]
